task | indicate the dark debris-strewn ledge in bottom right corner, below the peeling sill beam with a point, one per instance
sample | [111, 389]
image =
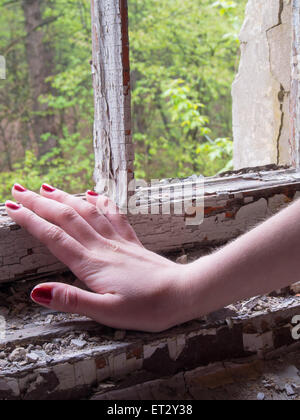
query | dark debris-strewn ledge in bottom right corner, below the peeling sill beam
[242, 380]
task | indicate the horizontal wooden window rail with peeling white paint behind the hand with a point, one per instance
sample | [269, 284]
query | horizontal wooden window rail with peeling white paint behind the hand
[233, 205]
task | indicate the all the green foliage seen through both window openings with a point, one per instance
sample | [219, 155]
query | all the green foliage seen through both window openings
[184, 55]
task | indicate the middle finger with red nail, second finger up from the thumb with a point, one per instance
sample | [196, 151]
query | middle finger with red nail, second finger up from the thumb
[59, 214]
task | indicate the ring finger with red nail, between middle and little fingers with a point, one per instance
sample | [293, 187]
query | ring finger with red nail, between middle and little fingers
[85, 209]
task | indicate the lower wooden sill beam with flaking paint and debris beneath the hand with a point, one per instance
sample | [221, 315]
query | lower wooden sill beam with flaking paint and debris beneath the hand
[65, 372]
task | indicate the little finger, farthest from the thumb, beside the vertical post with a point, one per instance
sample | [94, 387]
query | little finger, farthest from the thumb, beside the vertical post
[112, 213]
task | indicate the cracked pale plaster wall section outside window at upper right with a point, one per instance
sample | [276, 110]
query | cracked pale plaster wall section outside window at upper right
[261, 89]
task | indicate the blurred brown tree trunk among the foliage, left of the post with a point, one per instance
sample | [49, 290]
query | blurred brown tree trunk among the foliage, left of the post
[40, 58]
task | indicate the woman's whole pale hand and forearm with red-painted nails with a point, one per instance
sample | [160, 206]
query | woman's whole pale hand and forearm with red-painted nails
[132, 288]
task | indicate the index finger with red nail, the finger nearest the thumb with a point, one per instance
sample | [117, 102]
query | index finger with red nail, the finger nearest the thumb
[60, 244]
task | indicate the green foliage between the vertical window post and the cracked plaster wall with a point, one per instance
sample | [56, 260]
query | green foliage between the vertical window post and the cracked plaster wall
[184, 55]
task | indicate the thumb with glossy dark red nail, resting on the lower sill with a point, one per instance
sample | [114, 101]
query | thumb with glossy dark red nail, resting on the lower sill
[70, 299]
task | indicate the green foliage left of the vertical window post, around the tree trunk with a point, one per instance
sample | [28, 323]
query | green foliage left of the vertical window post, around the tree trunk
[70, 165]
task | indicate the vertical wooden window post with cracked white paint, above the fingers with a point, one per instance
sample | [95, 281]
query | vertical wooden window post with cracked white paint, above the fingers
[111, 77]
